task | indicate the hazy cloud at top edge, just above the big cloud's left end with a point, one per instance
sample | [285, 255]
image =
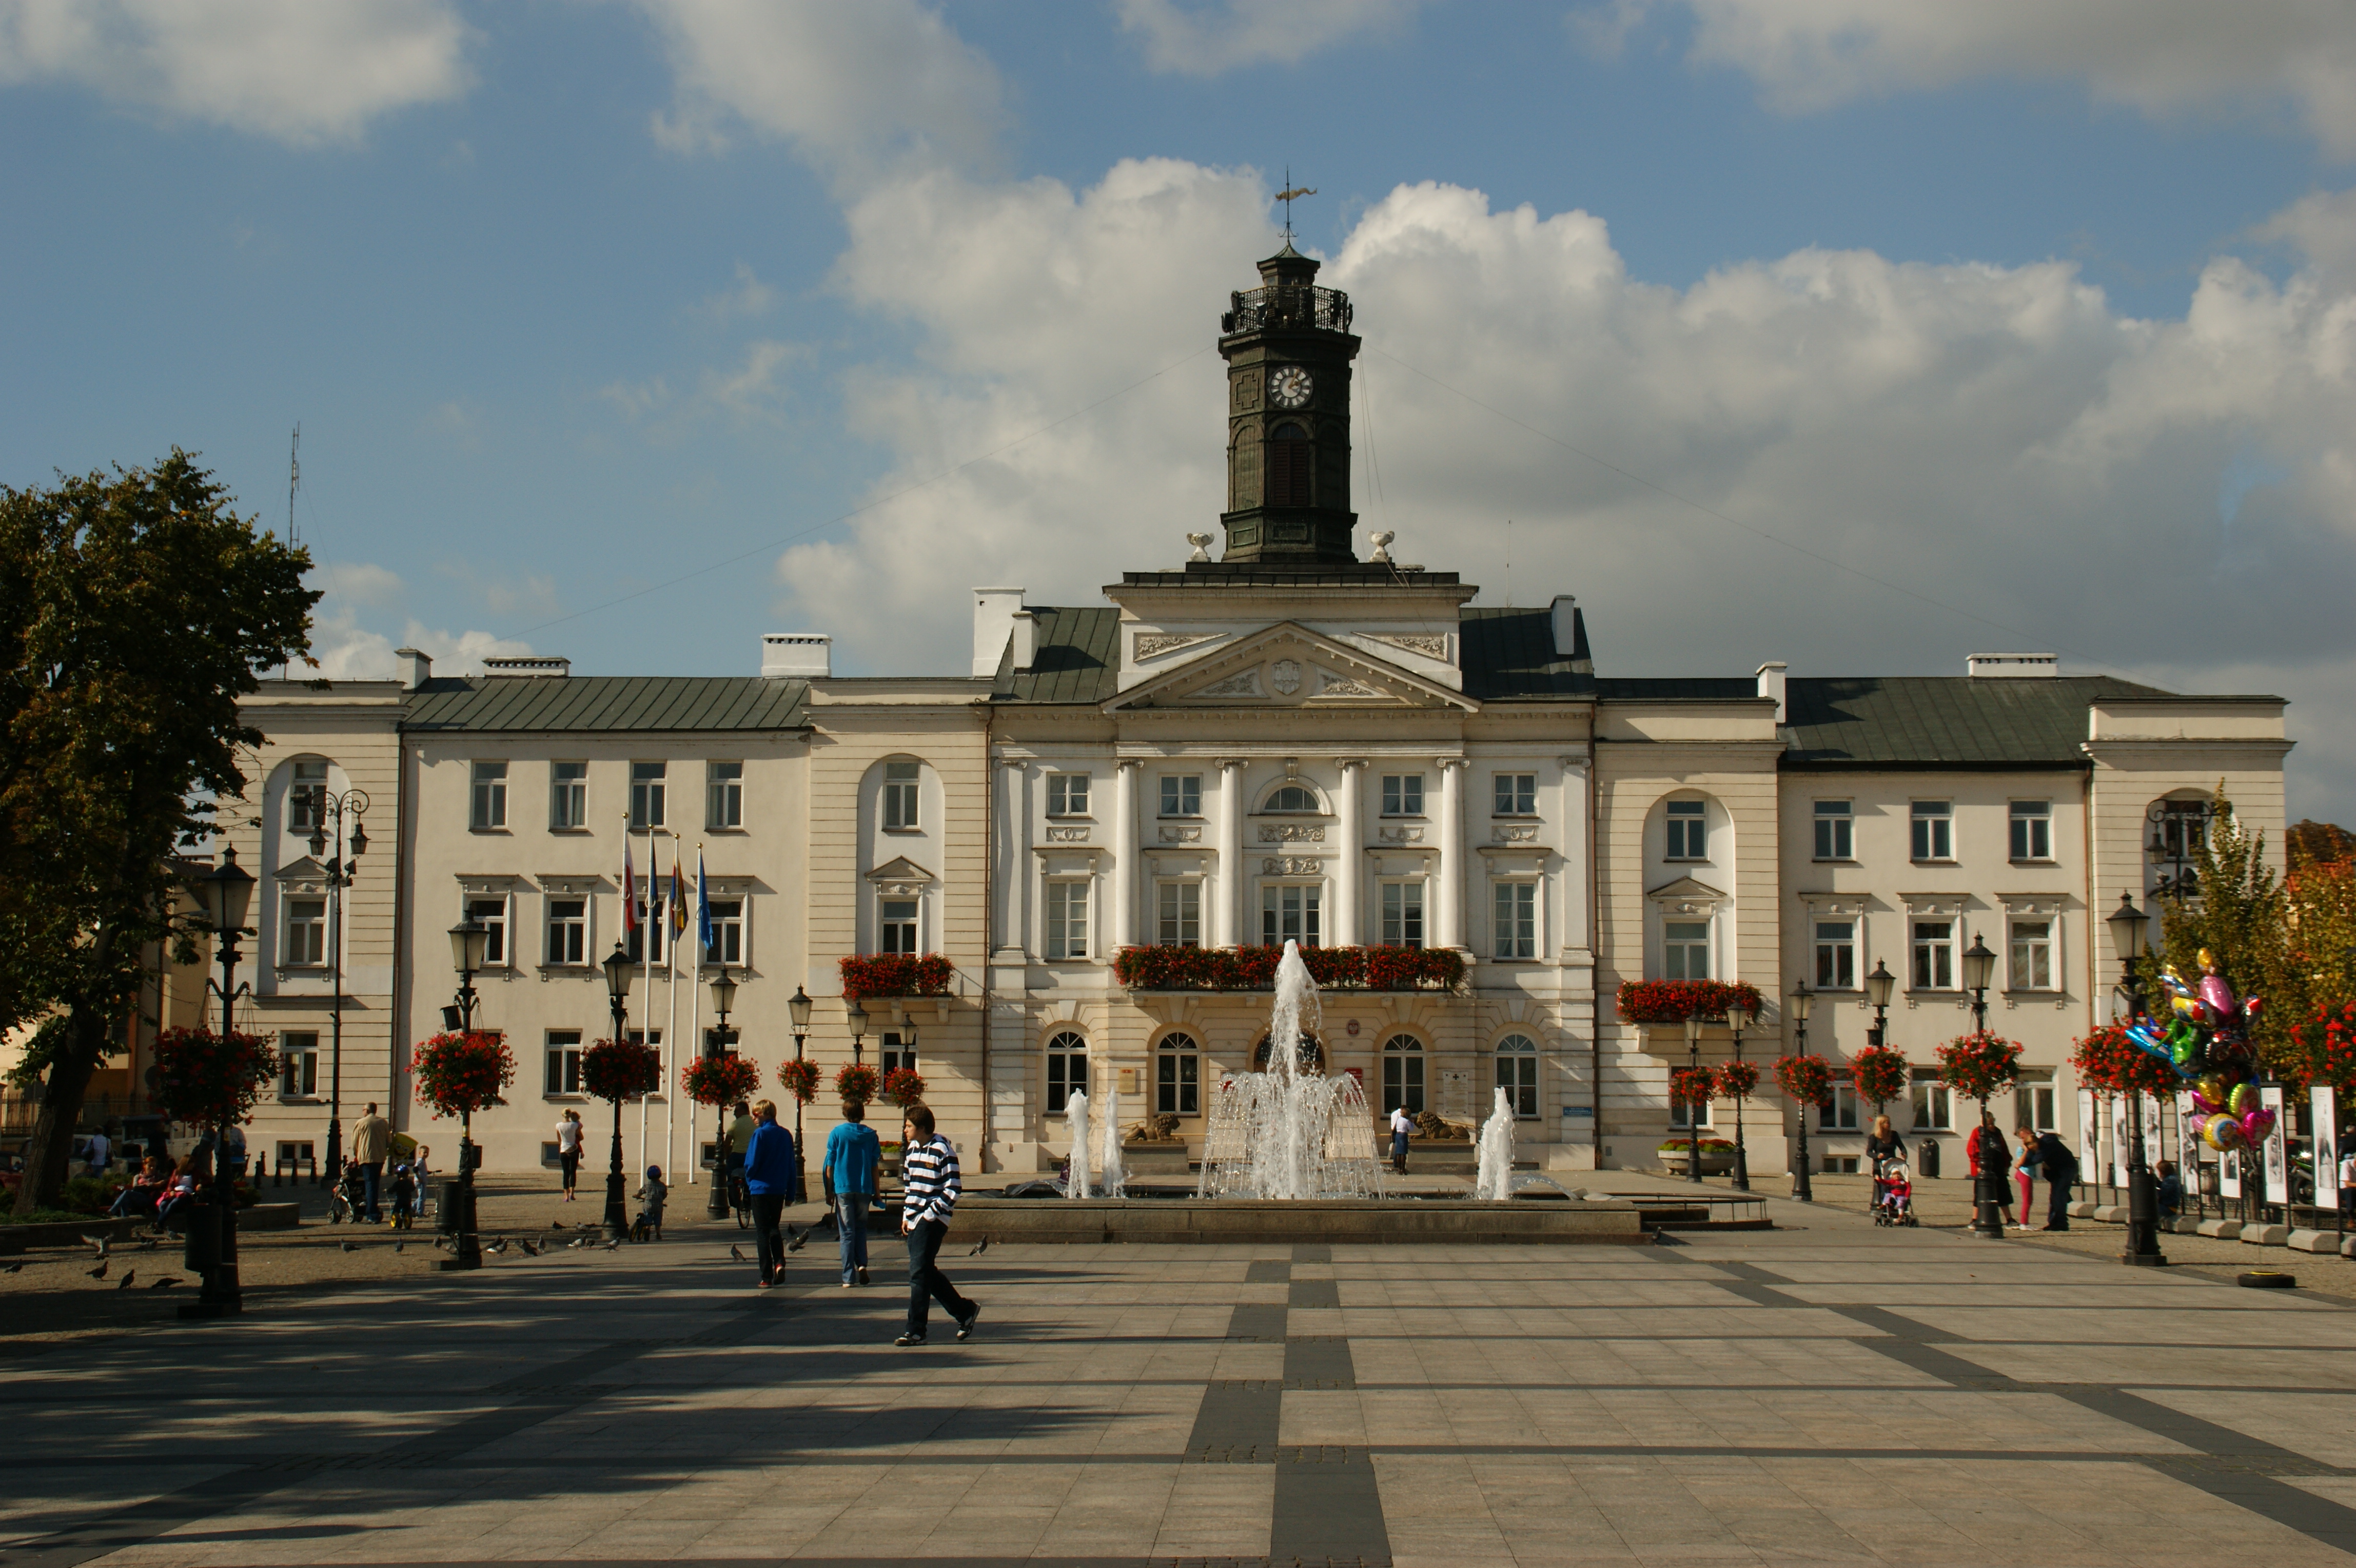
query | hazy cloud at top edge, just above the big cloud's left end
[849, 86]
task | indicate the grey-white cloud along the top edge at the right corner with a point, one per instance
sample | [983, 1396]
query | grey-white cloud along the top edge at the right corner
[2152, 55]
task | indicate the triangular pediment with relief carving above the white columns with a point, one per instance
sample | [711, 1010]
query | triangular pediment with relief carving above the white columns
[1290, 667]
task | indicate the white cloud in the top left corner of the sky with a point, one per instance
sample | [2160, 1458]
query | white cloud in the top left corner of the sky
[300, 72]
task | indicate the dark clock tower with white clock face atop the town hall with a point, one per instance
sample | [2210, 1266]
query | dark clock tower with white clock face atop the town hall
[1290, 350]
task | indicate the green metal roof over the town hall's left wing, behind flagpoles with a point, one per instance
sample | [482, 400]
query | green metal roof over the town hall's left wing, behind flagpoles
[609, 703]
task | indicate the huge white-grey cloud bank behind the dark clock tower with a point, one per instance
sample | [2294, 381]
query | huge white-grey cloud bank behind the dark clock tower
[1992, 439]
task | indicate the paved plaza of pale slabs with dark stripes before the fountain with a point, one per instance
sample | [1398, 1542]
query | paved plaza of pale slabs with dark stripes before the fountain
[1813, 1395]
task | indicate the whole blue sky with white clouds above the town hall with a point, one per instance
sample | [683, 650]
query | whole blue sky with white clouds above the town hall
[1851, 333]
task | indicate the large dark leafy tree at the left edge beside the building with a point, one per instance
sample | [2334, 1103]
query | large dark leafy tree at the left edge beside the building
[138, 609]
